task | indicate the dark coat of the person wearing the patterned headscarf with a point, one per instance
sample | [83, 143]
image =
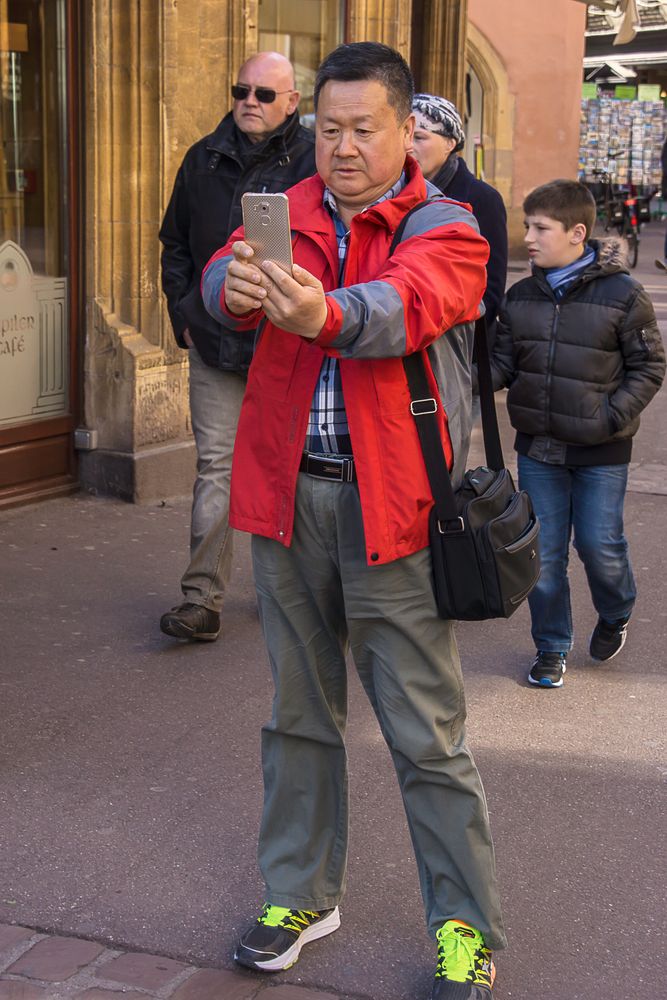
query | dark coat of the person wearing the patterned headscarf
[489, 210]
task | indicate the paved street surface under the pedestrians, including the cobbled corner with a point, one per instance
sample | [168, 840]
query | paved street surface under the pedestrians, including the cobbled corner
[130, 787]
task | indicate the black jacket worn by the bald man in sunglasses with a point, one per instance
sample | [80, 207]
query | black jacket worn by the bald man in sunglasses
[205, 208]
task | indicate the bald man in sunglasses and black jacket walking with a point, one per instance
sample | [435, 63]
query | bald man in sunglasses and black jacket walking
[259, 146]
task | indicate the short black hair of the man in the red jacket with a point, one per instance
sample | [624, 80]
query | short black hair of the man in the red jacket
[370, 61]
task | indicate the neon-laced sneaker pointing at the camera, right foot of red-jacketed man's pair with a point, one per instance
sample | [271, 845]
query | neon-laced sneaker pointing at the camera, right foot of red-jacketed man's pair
[465, 970]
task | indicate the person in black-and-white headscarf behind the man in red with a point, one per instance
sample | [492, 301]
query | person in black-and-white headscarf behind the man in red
[438, 137]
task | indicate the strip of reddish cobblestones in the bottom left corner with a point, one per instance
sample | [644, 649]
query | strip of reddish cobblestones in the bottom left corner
[35, 966]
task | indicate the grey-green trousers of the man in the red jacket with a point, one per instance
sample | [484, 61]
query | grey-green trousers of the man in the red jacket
[316, 599]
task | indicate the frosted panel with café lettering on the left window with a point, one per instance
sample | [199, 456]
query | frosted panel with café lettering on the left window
[33, 341]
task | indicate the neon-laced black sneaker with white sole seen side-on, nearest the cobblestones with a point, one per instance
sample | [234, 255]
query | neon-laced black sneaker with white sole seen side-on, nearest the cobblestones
[273, 943]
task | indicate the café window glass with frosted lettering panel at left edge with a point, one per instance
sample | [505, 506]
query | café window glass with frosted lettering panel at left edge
[34, 342]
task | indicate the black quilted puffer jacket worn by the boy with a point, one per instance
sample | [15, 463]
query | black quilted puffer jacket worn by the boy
[580, 370]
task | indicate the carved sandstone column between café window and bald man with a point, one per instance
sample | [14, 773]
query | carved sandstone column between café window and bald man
[157, 79]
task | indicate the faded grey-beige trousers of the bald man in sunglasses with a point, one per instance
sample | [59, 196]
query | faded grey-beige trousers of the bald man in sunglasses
[215, 404]
